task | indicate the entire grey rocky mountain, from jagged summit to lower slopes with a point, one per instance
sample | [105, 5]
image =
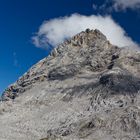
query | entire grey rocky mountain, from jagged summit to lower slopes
[86, 89]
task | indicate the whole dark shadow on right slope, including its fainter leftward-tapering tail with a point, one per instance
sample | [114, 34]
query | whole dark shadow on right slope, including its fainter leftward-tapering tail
[106, 85]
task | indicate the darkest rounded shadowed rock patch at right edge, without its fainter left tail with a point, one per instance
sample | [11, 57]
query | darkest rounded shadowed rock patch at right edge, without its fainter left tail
[121, 84]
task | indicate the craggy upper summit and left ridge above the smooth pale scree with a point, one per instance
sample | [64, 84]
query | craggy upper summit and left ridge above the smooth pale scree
[87, 51]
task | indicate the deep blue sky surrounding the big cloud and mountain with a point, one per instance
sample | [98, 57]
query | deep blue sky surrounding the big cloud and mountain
[21, 19]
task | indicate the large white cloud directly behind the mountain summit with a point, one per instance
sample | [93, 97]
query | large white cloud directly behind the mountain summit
[55, 31]
